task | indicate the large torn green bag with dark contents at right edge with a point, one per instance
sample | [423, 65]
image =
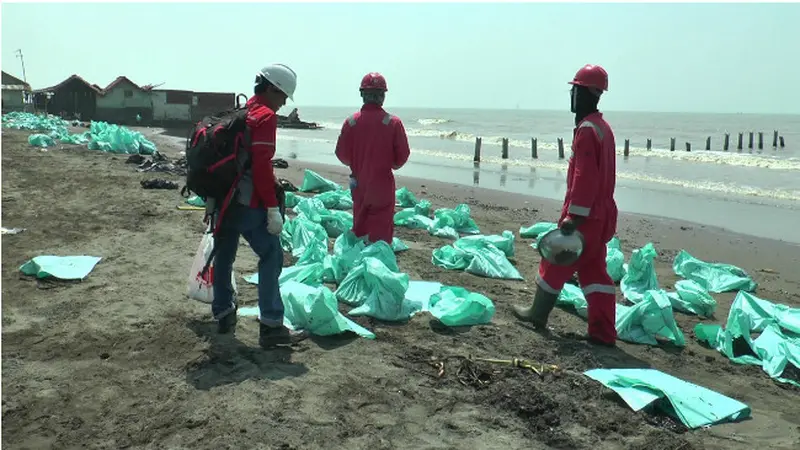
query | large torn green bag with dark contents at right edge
[774, 349]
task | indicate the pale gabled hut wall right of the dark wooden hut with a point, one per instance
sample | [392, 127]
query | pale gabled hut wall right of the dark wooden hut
[123, 102]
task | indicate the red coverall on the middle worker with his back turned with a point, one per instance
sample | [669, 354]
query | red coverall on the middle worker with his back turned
[373, 143]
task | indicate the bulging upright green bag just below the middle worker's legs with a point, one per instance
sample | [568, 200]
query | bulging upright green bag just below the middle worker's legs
[371, 280]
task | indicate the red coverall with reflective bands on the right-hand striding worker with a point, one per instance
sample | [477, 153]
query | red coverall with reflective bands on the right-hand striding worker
[591, 179]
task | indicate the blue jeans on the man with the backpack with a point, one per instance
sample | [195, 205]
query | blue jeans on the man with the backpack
[251, 223]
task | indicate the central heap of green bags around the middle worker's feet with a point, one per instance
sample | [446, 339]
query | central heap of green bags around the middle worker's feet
[366, 275]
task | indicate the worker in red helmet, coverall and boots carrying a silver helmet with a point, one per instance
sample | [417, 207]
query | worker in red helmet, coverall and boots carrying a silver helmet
[590, 208]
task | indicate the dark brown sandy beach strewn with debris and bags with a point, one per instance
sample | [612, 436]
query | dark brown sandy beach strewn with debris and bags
[124, 360]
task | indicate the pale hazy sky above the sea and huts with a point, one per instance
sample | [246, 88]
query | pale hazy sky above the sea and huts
[660, 57]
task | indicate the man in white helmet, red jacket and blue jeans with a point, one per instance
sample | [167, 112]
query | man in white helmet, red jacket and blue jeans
[255, 214]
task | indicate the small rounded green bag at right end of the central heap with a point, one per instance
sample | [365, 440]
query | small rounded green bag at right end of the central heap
[455, 306]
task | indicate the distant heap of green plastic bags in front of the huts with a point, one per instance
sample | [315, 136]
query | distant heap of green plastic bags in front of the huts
[100, 136]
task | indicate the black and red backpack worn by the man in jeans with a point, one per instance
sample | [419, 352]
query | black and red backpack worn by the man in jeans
[212, 148]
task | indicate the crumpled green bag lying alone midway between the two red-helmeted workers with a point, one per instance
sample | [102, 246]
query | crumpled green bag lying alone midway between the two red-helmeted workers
[478, 255]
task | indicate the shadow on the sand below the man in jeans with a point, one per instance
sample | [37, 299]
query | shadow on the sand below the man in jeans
[230, 361]
